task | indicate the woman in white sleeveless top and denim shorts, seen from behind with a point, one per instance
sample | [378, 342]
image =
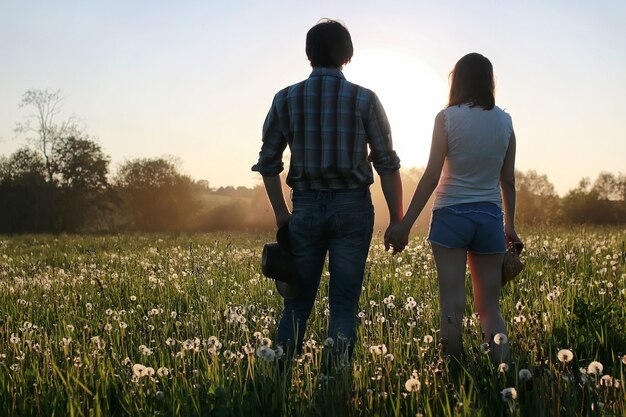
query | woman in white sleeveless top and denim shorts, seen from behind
[472, 168]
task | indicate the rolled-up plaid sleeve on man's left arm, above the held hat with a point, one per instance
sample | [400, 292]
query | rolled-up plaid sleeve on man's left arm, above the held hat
[270, 161]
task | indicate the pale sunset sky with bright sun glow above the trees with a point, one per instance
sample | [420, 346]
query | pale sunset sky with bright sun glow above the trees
[194, 79]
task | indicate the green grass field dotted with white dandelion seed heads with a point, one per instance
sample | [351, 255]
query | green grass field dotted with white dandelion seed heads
[183, 325]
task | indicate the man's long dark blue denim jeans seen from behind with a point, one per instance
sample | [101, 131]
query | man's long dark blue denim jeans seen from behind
[340, 223]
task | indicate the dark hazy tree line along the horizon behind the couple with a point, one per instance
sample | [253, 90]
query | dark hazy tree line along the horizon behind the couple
[60, 181]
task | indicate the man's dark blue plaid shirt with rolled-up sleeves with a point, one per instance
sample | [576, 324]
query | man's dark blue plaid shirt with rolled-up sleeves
[328, 124]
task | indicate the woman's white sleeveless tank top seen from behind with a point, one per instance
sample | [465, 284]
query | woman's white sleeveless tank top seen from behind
[477, 143]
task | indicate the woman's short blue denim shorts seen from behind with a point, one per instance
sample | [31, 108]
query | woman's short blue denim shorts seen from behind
[476, 227]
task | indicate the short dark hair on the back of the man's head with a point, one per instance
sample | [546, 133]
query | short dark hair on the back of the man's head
[328, 44]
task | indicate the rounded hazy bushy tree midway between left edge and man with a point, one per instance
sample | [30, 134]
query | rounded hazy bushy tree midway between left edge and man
[156, 196]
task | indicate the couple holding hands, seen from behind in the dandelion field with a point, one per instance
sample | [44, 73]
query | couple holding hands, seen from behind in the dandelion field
[336, 131]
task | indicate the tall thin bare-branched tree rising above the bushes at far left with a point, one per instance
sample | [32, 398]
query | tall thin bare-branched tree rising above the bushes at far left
[41, 126]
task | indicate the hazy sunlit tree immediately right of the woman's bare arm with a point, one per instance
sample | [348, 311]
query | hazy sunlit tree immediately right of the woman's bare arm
[536, 198]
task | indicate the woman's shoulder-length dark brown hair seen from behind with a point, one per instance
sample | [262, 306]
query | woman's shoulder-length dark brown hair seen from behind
[472, 82]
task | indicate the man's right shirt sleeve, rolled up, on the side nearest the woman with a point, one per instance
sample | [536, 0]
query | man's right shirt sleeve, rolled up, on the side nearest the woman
[382, 155]
